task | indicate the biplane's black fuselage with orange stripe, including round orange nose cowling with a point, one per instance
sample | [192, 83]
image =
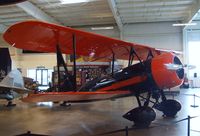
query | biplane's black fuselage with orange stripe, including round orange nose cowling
[151, 74]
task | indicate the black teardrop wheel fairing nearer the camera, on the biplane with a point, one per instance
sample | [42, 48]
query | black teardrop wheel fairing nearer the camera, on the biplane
[141, 116]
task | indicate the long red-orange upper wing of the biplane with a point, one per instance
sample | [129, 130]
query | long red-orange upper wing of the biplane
[43, 37]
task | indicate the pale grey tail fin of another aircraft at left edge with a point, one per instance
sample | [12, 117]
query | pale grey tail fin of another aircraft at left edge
[14, 81]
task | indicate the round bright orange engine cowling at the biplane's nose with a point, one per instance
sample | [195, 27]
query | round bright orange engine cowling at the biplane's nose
[167, 78]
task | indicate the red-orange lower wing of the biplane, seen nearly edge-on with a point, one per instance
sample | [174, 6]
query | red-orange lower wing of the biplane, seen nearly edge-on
[75, 96]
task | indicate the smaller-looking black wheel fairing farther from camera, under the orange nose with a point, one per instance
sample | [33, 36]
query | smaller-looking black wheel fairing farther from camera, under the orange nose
[169, 107]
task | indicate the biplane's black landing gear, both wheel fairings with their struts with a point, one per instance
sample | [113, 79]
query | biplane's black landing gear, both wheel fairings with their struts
[143, 115]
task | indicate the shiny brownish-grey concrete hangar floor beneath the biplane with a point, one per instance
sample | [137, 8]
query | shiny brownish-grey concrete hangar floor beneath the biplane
[94, 118]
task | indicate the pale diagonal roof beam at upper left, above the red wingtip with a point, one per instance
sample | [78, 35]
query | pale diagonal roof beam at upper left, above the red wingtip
[36, 12]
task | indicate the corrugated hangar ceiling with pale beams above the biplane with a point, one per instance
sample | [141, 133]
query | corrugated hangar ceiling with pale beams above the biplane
[99, 12]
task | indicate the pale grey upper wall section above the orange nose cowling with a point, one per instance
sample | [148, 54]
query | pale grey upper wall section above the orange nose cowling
[158, 35]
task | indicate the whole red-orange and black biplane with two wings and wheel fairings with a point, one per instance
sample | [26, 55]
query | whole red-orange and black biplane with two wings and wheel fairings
[151, 74]
